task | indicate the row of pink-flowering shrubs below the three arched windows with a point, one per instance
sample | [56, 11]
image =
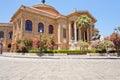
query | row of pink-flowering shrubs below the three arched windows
[46, 43]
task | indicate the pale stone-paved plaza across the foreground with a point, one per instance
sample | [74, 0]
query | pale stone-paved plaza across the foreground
[81, 67]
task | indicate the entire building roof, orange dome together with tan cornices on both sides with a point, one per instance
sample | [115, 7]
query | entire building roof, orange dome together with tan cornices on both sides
[49, 11]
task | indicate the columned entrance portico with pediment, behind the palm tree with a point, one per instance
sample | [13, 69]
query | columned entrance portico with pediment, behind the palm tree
[77, 33]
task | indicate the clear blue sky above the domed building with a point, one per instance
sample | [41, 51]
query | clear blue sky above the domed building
[107, 12]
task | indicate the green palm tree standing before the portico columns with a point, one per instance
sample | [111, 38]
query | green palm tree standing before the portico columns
[84, 21]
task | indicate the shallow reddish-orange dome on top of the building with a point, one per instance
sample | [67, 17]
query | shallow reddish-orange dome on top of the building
[46, 8]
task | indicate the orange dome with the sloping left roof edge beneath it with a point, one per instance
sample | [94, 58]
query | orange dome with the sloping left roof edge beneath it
[42, 9]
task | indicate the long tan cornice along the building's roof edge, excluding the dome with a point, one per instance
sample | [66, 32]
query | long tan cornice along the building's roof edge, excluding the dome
[32, 10]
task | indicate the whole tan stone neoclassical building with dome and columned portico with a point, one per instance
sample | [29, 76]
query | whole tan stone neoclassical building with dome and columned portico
[29, 21]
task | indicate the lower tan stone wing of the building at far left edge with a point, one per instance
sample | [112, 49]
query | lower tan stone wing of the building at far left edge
[6, 32]
